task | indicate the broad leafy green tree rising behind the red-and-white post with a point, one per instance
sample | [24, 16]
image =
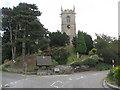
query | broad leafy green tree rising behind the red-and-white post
[107, 47]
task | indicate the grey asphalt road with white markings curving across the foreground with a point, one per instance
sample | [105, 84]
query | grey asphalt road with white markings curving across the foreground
[90, 79]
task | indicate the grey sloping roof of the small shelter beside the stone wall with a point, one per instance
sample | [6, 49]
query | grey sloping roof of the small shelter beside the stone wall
[44, 60]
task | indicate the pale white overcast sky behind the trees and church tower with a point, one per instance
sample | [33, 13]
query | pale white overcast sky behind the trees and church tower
[92, 16]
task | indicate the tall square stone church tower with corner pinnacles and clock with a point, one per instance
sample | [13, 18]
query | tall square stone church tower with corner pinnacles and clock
[68, 24]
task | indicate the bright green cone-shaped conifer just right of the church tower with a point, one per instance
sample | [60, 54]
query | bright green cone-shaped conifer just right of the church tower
[81, 46]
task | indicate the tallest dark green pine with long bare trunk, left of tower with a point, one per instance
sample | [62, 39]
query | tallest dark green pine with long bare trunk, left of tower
[26, 14]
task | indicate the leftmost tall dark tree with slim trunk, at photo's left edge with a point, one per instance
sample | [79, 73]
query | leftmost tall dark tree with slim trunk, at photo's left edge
[8, 25]
